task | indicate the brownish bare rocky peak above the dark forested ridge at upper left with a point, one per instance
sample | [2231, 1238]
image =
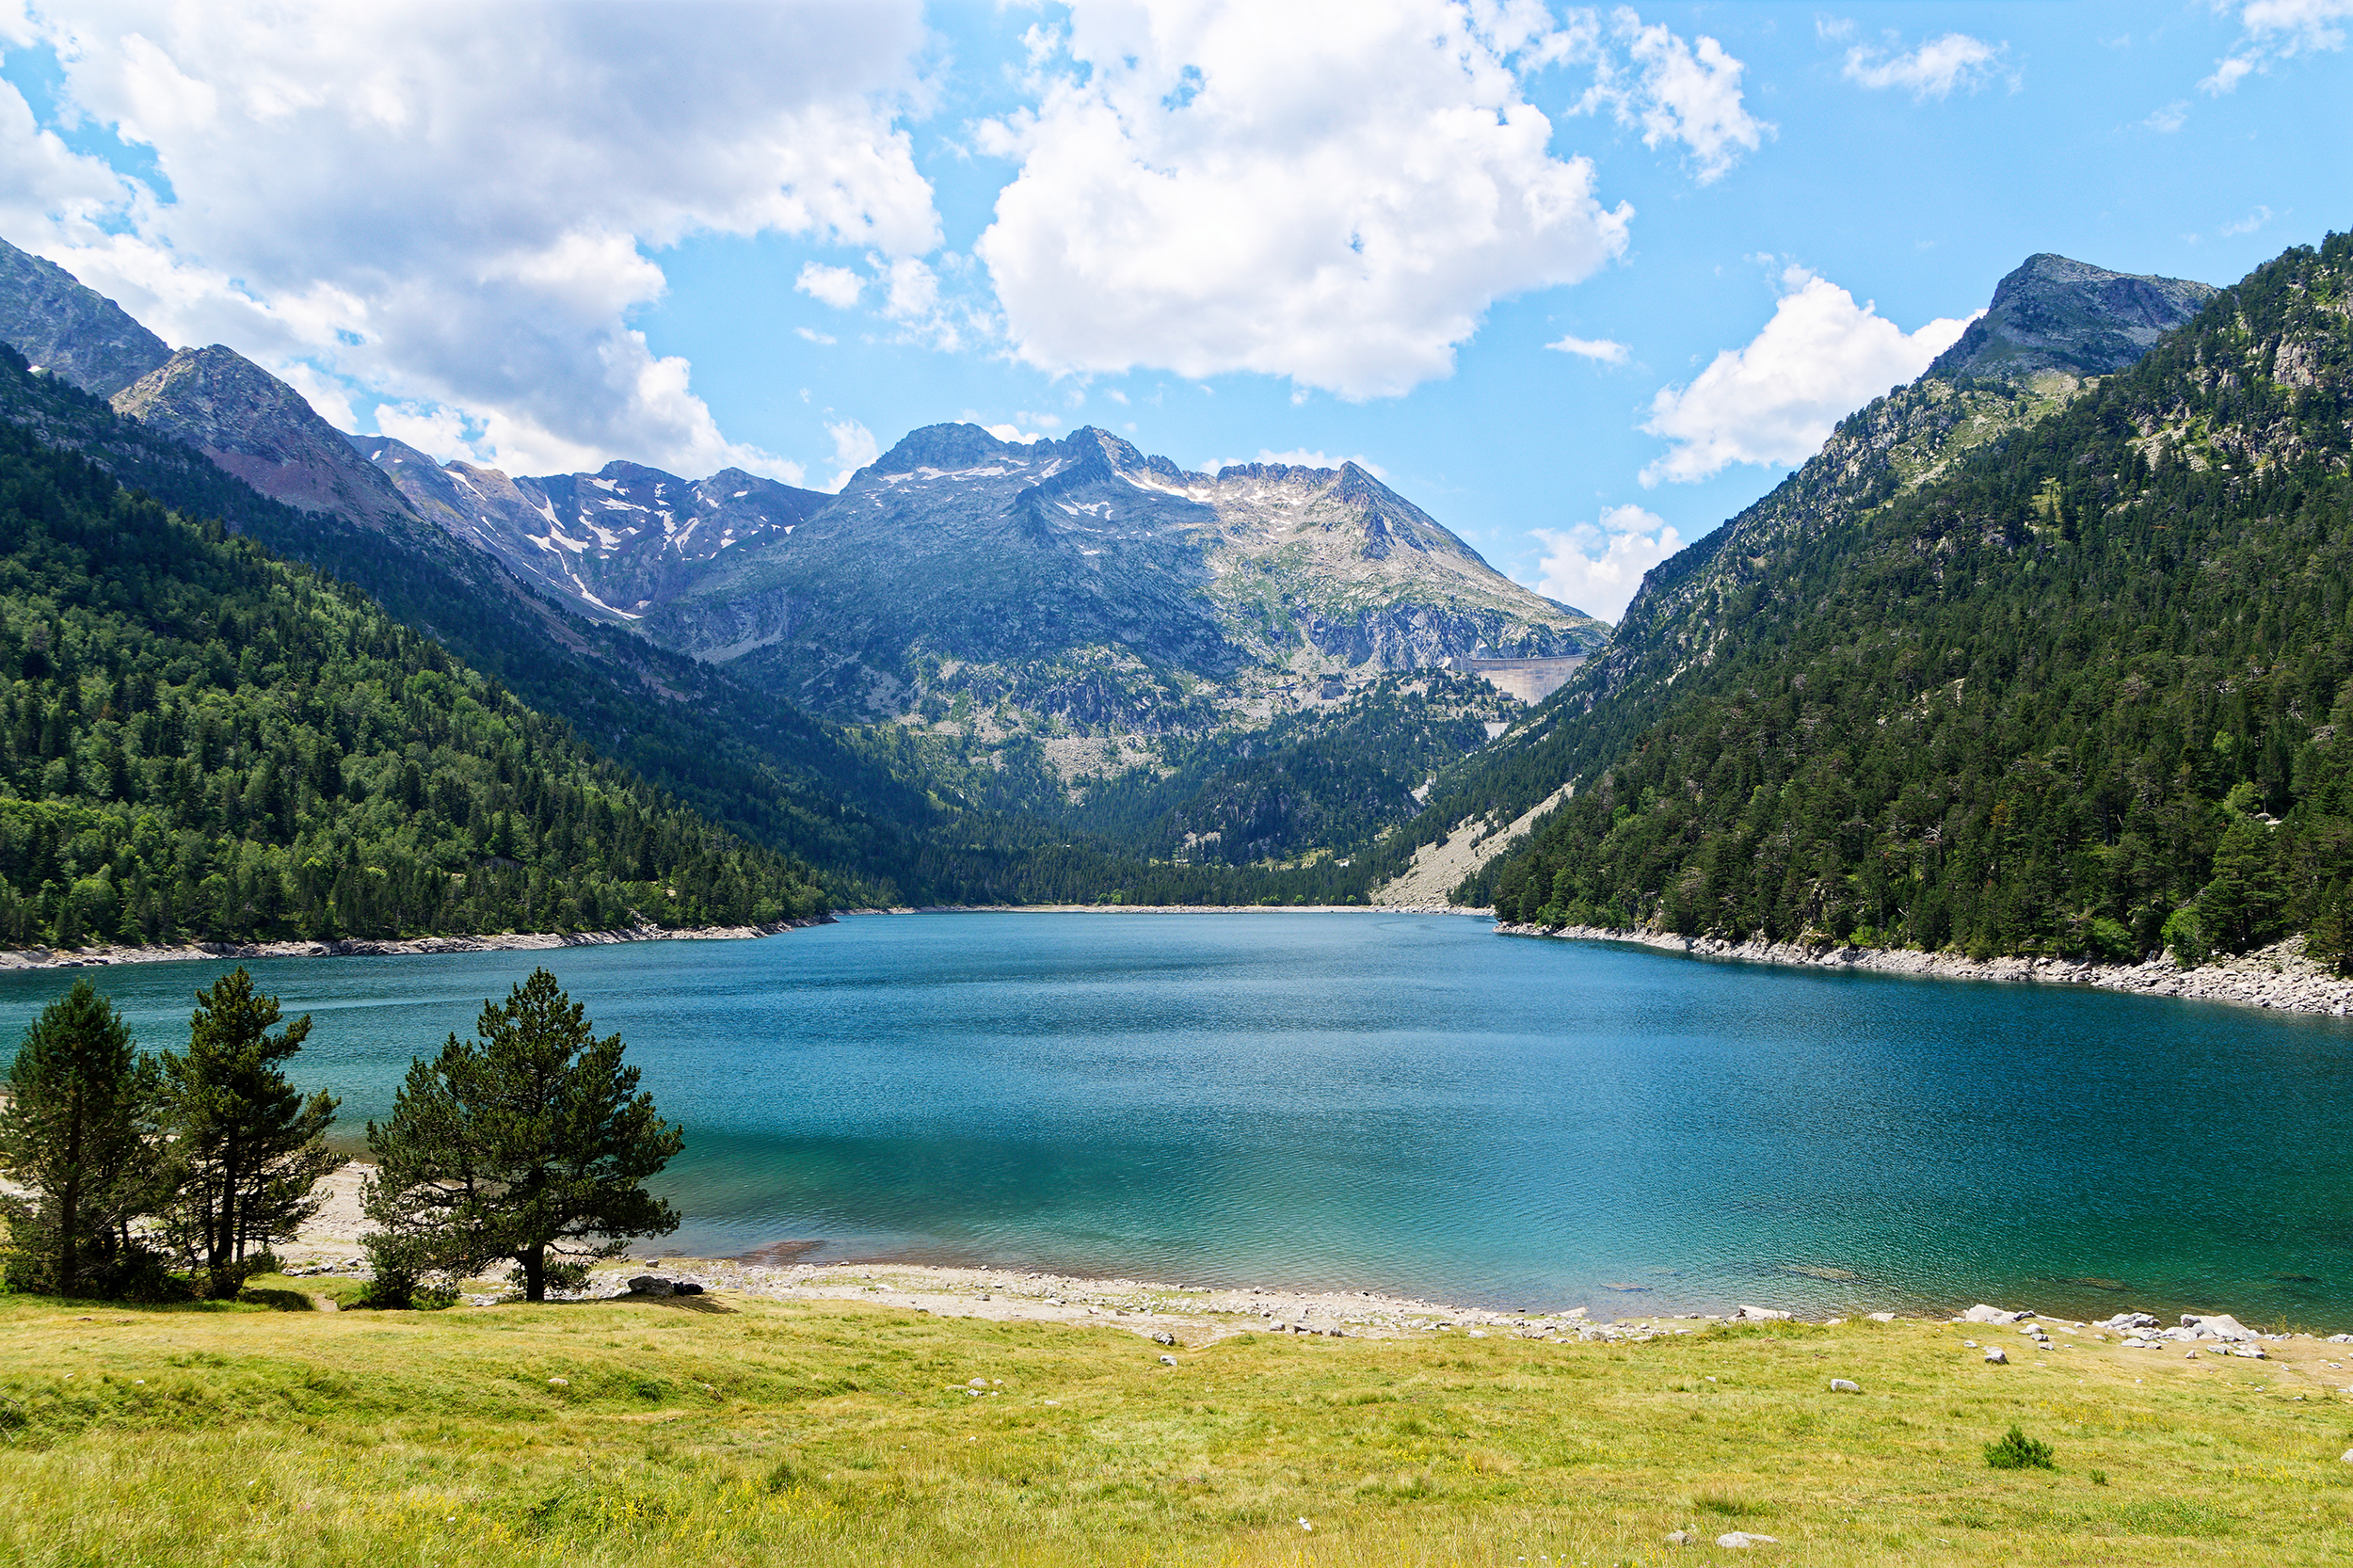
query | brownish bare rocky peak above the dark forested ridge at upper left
[265, 432]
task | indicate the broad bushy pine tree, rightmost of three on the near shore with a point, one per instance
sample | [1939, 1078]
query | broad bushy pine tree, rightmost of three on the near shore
[526, 1145]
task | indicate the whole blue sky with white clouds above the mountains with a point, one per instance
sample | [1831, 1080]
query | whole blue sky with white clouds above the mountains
[1578, 281]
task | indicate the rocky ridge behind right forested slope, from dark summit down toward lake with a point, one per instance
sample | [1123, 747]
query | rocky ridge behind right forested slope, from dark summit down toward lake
[2018, 366]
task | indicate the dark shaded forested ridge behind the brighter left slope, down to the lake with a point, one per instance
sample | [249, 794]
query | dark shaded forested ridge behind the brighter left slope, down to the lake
[884, 813]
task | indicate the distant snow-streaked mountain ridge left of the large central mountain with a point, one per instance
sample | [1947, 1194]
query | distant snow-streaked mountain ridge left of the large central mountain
[613, 543]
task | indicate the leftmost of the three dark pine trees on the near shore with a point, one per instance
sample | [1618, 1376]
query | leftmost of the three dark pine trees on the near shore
[79, 1136]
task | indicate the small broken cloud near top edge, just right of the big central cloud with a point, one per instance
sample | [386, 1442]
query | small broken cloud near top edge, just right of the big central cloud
[1669, 88]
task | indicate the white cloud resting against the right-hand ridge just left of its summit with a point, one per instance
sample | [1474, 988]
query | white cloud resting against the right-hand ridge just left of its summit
[1778, 399]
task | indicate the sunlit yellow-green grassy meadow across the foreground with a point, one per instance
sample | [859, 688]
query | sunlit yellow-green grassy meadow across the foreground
[731, 1430]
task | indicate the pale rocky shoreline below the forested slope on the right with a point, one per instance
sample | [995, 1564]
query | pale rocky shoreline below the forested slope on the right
[2272, 978]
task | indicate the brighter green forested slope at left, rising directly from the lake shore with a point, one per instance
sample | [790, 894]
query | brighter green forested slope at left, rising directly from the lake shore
[199, 740]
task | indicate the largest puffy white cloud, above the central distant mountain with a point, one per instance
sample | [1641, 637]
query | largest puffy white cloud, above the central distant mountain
[1328, 192]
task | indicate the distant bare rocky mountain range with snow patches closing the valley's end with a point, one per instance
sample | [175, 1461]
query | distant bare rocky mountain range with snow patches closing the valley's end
[1072, 578]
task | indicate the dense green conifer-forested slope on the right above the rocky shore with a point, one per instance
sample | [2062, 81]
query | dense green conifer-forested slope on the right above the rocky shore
[2086, 693]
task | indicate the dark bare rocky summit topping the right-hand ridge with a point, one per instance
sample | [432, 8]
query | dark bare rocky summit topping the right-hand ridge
[2072, 317]
